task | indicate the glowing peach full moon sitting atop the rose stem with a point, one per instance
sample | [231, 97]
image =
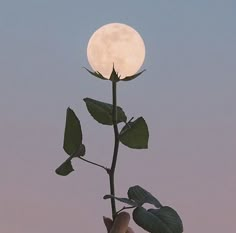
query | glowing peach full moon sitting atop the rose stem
[117, 44]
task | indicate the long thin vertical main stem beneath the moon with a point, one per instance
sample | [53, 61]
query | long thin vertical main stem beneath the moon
[116, 147]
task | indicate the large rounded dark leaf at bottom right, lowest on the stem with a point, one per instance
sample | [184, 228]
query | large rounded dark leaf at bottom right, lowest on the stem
[164, 220]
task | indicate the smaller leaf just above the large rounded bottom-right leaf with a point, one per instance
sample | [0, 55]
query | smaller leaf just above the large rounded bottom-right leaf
[141, 196]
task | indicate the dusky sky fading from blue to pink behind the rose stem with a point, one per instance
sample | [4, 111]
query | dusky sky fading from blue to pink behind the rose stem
[187, 97]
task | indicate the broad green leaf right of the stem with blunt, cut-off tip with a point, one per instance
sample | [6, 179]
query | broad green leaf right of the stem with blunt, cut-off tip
[135, 134]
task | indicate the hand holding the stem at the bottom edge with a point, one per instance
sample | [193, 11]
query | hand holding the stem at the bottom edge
[120, 224]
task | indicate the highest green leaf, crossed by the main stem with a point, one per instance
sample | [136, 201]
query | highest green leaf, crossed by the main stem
[102, 112]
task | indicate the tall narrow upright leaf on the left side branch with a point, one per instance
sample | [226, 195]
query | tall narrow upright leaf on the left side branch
[73, 133]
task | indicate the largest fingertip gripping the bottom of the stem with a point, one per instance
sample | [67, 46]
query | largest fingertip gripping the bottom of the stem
[121, 223]
